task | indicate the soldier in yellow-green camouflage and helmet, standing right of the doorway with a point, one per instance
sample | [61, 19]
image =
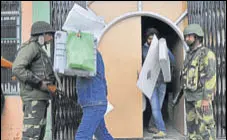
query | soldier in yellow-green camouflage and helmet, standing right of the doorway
[199, 79]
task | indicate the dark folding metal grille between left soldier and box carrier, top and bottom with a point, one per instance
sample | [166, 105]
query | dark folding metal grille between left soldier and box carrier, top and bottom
[66, 113]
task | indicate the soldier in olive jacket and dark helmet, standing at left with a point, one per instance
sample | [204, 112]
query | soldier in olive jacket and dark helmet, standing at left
[33, 69]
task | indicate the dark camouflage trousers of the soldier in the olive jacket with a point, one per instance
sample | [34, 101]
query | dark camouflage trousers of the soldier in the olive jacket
[34, 119]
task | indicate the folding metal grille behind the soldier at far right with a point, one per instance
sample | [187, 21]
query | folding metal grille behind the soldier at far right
[211, 15]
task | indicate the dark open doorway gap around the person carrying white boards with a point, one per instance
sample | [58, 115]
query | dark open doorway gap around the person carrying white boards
[173, 121]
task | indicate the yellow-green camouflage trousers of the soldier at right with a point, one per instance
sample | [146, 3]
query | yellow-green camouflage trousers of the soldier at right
[200, 125]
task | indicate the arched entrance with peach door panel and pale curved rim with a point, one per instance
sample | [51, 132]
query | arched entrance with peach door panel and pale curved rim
[120, 44]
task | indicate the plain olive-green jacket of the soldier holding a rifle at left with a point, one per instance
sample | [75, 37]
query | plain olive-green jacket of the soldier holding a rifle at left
[31, 66]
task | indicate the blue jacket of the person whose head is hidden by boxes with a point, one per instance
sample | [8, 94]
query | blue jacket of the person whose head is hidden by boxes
[92, 91]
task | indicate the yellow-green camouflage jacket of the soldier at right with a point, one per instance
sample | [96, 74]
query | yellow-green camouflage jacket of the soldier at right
[199, 74]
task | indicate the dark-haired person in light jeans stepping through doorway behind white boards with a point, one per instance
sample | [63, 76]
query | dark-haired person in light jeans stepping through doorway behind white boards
[159, 92]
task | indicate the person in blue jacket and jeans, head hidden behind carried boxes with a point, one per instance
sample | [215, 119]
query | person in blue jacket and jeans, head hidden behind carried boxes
[92, 96]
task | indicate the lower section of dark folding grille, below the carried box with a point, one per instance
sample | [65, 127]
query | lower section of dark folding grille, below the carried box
[66, 113]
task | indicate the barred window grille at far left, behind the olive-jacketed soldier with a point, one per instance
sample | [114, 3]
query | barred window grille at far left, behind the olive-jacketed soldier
[10, 40]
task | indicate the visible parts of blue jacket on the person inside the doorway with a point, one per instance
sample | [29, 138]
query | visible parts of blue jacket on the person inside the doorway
[160, 79]
